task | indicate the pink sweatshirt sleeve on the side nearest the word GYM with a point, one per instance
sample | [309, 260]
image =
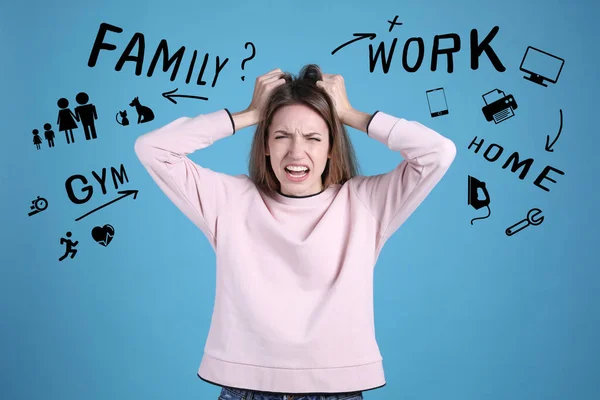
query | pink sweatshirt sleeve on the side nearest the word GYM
[200, 193]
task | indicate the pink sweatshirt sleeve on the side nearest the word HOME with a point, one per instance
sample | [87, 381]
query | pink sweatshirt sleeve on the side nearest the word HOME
[392, 197]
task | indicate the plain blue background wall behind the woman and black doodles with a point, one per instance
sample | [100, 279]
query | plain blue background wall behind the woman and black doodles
[462, 311]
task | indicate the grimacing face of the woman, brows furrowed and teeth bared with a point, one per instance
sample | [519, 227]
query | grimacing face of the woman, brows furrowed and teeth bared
[298, 136]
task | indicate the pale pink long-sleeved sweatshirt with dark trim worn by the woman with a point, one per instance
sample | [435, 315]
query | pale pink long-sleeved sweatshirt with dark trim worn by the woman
[293, 309]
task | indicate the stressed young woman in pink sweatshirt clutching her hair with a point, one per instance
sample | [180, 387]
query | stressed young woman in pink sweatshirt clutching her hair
[297, 240]
